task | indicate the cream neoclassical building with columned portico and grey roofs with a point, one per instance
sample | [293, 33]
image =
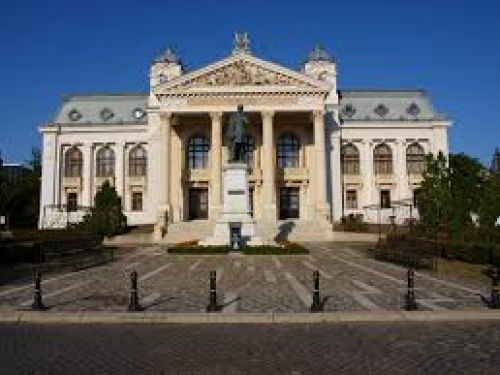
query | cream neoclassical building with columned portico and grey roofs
[315, 152]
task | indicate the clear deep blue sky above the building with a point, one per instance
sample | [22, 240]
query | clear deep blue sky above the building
[449, 47]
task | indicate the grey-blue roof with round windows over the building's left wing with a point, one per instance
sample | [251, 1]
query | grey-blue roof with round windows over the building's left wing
[103, 108]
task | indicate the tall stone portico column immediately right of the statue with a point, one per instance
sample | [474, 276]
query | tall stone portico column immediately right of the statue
[268, 167]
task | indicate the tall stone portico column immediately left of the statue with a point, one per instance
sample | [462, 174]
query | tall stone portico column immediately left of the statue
[216, 165]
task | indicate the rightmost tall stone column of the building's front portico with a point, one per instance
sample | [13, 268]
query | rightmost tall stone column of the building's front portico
[320, 161]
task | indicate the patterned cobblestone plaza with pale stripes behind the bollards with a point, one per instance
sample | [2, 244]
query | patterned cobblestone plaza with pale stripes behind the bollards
[350, 281]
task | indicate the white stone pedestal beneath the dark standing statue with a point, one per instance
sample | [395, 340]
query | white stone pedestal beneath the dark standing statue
[235, 216]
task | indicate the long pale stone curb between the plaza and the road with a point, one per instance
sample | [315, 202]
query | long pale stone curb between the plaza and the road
[104, 317]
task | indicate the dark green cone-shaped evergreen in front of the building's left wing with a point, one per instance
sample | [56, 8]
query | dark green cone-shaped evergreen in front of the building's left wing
[106, 217]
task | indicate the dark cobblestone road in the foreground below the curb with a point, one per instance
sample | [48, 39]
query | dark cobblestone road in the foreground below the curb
[368, 348]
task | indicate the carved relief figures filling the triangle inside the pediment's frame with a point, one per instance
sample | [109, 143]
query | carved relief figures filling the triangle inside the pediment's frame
[242, 73]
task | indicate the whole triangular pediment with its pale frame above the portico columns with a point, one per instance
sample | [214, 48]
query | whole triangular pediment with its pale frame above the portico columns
[242, 72]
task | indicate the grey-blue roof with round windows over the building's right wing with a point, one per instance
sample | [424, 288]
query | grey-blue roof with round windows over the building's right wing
[387, 105]
